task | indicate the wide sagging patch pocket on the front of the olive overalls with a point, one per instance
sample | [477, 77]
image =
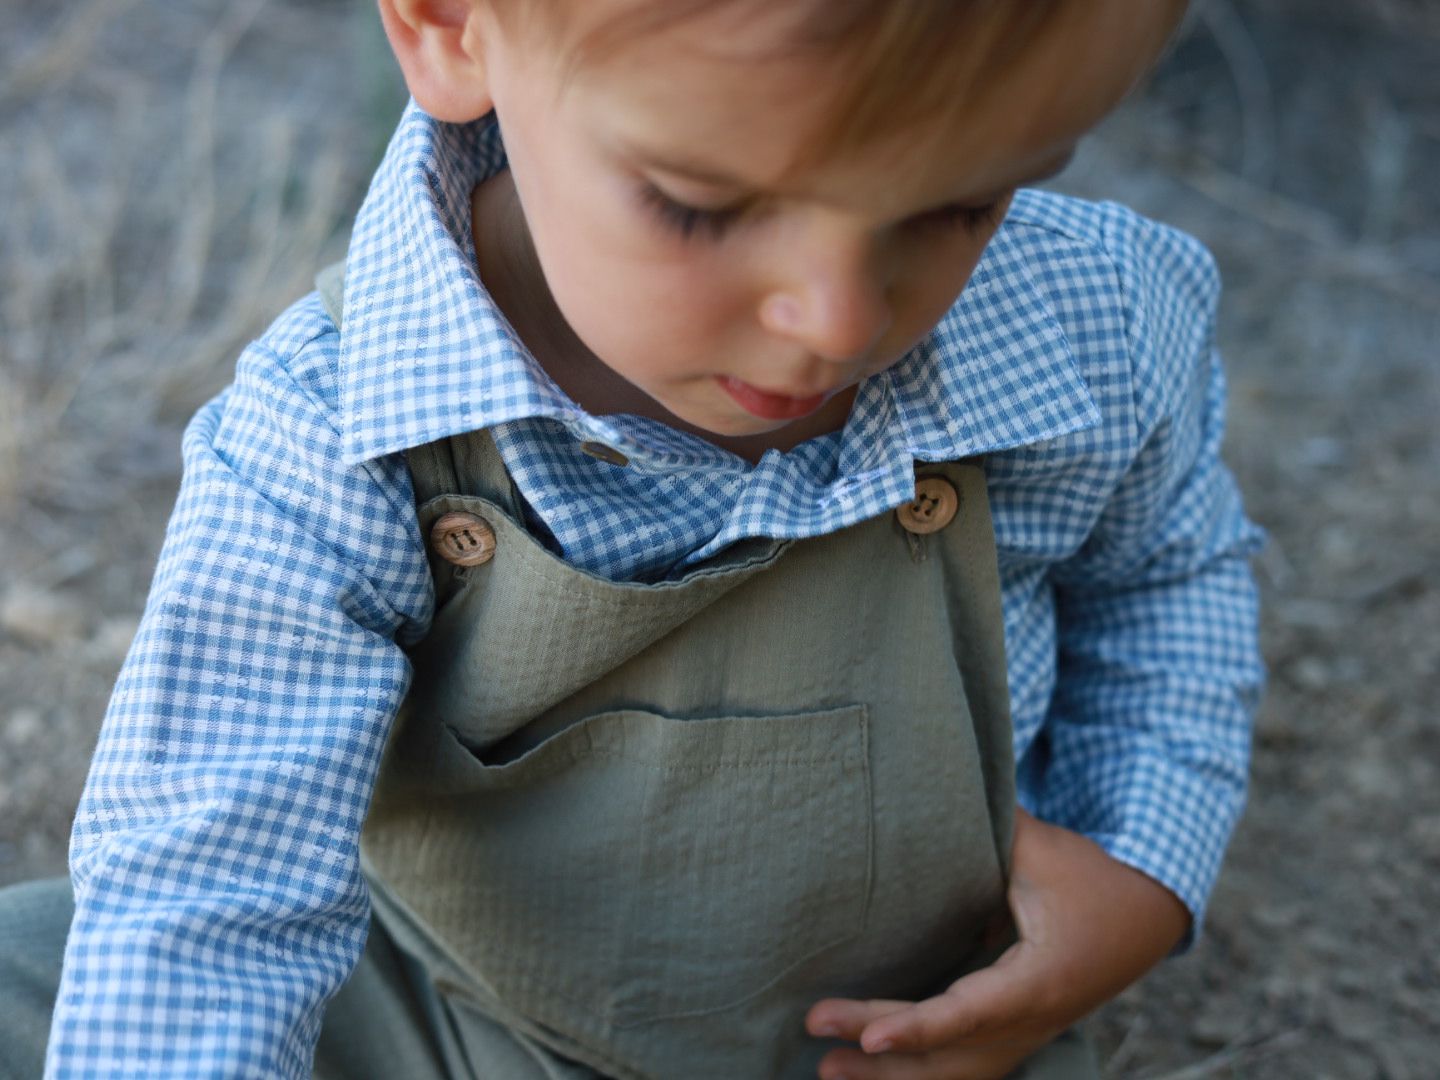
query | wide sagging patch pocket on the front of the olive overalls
[646, 868]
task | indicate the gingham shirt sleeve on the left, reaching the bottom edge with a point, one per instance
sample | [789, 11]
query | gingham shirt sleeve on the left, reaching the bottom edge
[215, 853]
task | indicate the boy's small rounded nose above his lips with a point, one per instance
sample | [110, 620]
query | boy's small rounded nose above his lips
[837, 312]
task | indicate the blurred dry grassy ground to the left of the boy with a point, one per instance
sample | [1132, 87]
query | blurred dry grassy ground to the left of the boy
[172, 179]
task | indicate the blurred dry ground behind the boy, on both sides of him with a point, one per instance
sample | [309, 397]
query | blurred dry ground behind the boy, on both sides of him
[172, 175]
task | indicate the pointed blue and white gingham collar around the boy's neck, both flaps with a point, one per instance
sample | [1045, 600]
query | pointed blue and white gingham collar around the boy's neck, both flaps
[426, 354]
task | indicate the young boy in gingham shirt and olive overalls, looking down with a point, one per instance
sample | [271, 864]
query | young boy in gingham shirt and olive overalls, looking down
[712, 490]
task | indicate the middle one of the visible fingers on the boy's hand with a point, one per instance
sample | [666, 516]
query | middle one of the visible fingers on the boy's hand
[1009, 994]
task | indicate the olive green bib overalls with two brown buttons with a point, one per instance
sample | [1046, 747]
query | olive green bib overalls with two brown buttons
[643, 829]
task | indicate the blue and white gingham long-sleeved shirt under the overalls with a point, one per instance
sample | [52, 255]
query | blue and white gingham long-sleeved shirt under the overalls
[215, 853]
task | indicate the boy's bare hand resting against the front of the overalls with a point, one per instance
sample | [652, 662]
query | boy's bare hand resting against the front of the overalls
[1088, 928]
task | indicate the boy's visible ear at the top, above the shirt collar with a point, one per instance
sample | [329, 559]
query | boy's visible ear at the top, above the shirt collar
[440, 45]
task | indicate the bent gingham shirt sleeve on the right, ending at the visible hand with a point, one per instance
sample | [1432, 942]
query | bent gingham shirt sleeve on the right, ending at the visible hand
[1158, 665]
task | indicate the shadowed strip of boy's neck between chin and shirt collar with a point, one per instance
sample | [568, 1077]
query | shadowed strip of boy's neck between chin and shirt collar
[512, 276]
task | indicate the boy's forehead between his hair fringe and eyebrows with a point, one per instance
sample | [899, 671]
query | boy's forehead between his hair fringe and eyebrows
[716, 96]
